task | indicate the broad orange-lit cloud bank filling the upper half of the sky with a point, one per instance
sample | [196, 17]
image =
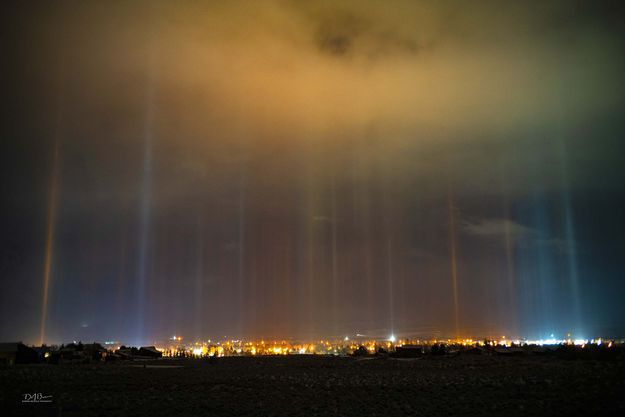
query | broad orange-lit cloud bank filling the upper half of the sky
[432, 89]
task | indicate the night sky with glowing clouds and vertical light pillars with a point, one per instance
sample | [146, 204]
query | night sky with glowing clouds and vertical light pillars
[311, 169]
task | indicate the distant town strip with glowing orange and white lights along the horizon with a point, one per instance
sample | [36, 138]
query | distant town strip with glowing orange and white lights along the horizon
[177, 347]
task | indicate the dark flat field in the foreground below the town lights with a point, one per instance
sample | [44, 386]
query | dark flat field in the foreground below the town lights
[298, 385]
